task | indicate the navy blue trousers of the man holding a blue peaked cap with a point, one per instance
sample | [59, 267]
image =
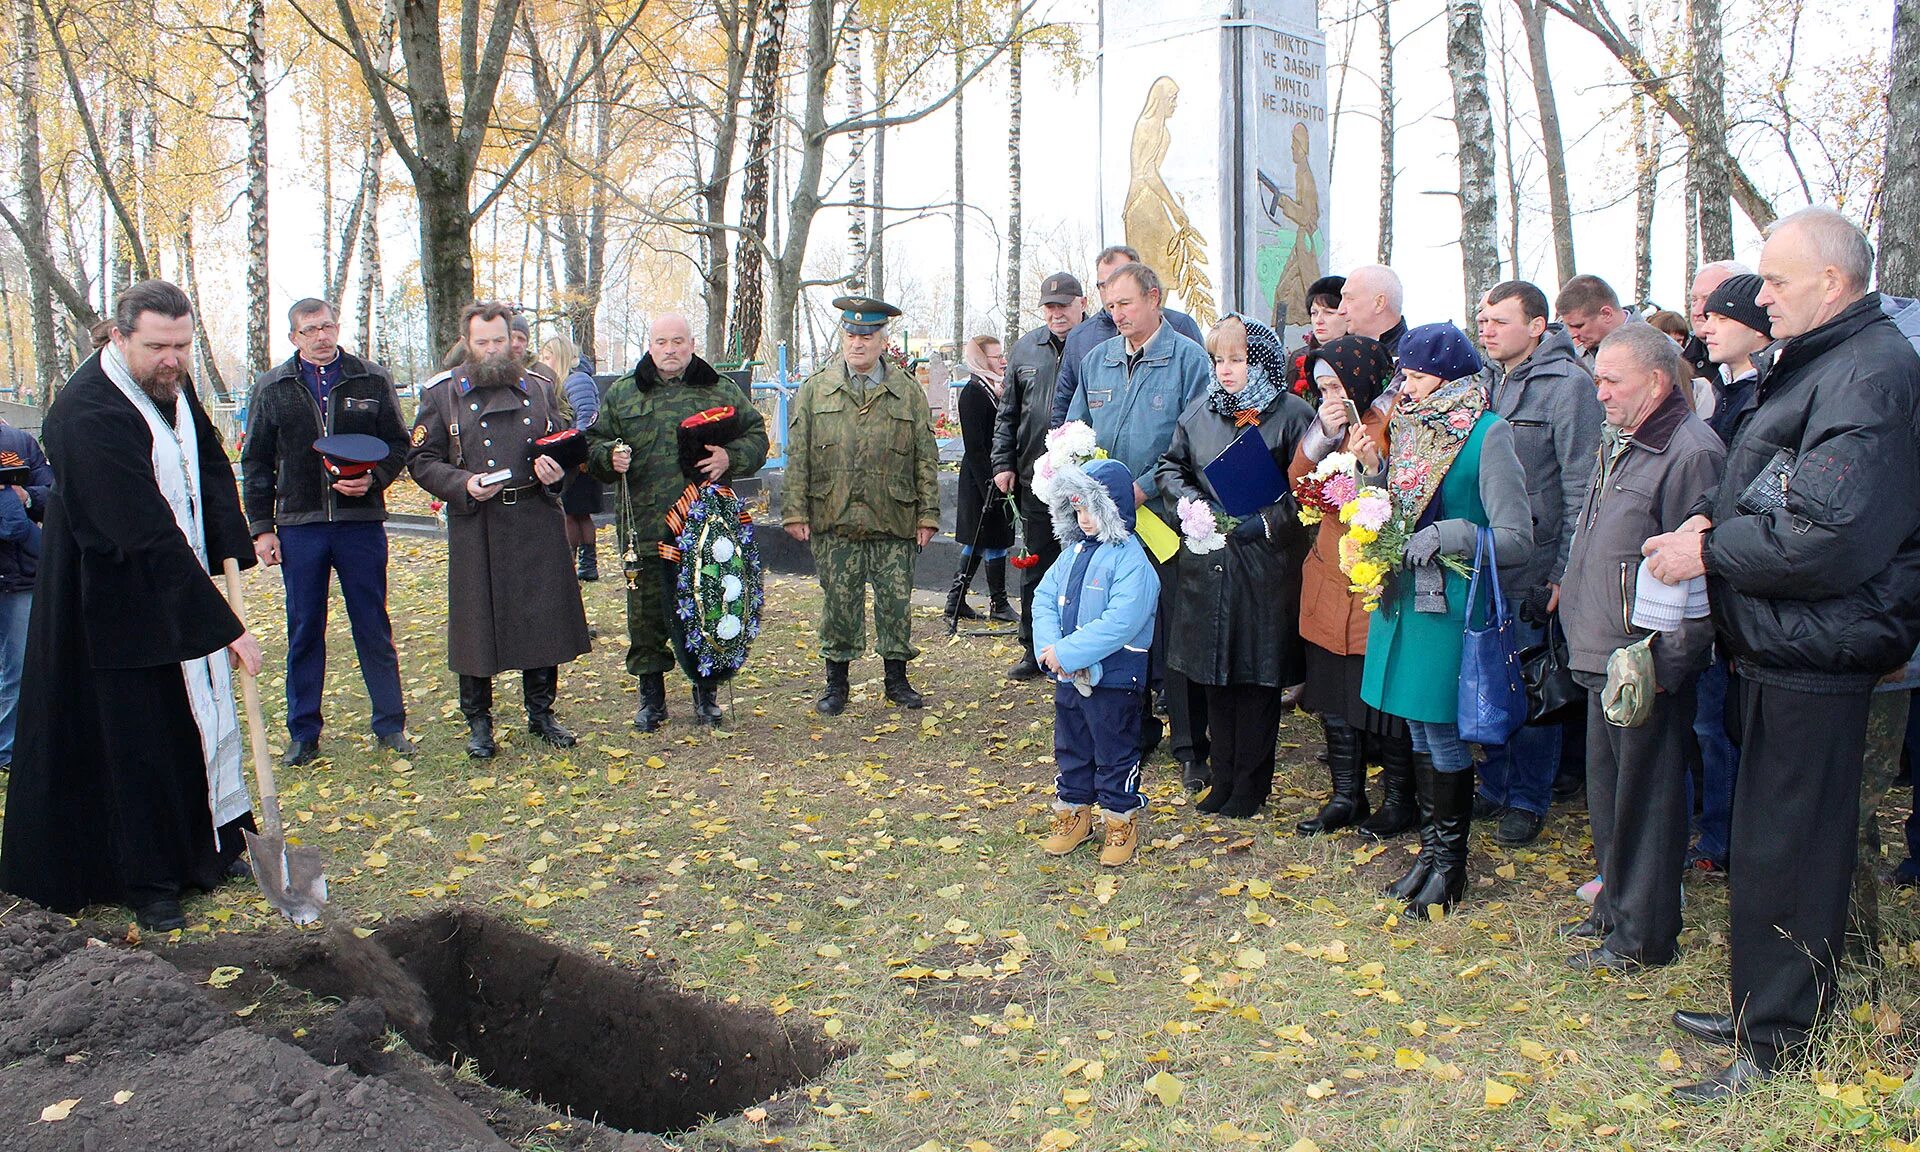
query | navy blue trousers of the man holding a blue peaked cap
[356, 550]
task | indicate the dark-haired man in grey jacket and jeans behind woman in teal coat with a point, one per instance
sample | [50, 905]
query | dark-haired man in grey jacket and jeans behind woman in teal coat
[1547, 395]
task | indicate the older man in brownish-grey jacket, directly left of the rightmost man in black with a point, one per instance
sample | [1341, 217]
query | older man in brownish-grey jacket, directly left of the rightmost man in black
[1656, 462]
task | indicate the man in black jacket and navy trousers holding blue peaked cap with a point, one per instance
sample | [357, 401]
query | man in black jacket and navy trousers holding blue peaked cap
[324, 443]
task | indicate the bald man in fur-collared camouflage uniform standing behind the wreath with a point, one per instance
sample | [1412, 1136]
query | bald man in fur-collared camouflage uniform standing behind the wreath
[635, 444]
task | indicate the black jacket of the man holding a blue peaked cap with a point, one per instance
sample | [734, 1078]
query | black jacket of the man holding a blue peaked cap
[283, 481]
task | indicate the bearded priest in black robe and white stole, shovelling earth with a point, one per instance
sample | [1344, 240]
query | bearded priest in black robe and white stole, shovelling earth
[126, 782]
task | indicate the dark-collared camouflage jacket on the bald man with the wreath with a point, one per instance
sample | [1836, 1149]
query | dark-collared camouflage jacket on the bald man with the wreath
[644, 414]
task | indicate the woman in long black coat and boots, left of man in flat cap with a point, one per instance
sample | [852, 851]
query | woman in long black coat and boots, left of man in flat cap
[982, 523]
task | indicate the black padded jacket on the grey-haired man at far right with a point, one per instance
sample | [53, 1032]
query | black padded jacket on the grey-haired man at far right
[1825, 596]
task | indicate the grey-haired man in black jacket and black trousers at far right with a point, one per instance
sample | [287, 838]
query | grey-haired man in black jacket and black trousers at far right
[1812, 552]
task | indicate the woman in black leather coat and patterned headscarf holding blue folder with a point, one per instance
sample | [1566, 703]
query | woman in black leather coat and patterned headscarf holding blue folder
[1236, 625]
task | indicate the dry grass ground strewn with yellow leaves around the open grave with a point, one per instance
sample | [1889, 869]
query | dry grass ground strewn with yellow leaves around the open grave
[878, 878]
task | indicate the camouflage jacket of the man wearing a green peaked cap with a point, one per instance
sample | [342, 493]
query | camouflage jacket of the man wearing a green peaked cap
[861, 469]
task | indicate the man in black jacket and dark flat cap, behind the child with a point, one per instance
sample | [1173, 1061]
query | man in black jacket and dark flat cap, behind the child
[1020, 439]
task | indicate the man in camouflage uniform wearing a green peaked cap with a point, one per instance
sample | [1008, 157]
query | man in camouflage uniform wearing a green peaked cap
[861, 491]
